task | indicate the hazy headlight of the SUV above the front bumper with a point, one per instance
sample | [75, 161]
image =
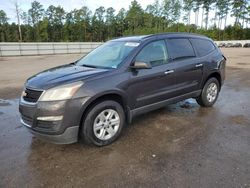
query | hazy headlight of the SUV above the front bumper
[61, 92]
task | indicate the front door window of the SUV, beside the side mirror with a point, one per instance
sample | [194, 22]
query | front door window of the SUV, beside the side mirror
[154, 53]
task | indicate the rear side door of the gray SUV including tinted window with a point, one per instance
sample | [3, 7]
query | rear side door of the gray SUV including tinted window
[188, 69]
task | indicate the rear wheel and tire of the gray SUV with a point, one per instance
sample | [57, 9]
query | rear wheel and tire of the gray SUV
[210, 93]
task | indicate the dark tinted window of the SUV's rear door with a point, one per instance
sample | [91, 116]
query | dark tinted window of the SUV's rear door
[180, 48]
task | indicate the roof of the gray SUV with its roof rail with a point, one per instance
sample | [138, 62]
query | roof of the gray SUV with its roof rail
[140, 38]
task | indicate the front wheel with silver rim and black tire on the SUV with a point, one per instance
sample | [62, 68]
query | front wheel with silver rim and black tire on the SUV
[103, 123]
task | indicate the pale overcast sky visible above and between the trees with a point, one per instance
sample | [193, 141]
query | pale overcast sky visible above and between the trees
[68, 5]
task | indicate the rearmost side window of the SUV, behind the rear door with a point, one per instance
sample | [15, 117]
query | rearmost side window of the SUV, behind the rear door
[203, 47]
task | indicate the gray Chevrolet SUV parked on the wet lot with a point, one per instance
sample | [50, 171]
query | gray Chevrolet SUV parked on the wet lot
[94, 97]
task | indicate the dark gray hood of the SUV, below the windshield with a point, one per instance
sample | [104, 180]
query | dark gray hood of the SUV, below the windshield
[61, 75]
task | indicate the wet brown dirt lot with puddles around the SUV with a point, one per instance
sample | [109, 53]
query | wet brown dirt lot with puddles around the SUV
[182, 145]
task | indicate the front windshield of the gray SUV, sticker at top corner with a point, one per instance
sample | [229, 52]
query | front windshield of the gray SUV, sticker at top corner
[108, 55]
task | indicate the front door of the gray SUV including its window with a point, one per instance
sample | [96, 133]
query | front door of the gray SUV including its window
[149, 86]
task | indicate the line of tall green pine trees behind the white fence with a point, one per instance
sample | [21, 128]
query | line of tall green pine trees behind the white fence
[56, 25]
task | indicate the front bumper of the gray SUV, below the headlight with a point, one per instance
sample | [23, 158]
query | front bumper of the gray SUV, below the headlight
[56, 121]
